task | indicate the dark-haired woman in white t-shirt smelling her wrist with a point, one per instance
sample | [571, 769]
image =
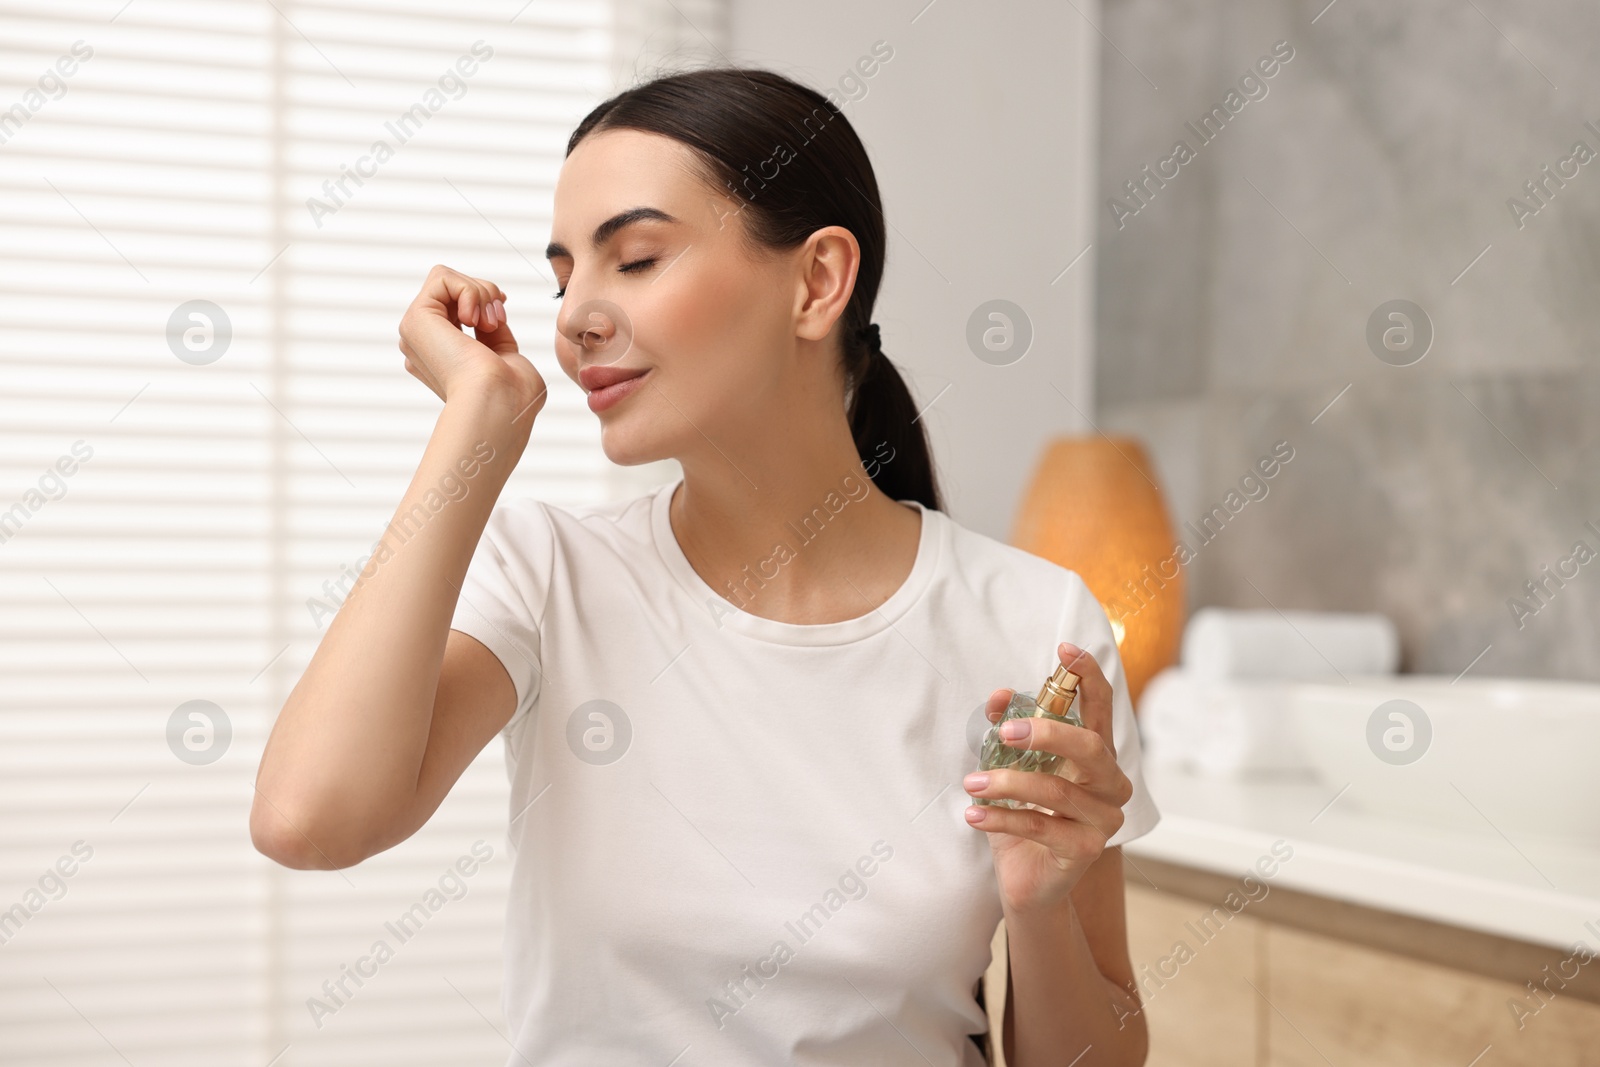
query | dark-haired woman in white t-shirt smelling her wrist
[738, 711]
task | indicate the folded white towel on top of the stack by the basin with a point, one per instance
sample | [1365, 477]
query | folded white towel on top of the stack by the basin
[1228, 644]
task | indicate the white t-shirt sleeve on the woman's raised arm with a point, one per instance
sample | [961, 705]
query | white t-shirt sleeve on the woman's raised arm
[505, 593]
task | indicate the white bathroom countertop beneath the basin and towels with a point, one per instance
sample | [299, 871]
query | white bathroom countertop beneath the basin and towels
[1534, 890]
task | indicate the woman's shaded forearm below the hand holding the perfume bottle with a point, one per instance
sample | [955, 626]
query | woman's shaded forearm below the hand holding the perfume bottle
[1062, 1010]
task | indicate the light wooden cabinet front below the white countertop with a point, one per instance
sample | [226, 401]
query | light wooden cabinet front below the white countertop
[1236, 991]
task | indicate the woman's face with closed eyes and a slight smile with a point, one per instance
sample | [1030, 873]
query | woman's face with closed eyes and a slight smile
[670, 290]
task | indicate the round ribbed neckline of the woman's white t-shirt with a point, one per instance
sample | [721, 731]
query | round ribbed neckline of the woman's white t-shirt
[724, 613]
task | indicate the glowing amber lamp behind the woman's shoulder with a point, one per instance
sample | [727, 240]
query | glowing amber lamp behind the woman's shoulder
[1095, 508]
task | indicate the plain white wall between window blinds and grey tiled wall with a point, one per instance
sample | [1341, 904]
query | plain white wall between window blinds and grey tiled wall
[982, 130]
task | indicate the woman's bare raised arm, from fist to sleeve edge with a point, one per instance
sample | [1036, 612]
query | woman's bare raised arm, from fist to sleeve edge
[394, 706]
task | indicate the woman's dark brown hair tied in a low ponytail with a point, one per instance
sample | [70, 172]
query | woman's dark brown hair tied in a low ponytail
[742, 122]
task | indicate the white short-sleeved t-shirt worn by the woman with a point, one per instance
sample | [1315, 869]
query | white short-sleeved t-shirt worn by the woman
[740, 841]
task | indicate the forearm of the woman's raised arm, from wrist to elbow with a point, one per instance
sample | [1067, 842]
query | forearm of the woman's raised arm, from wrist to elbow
[348, 746]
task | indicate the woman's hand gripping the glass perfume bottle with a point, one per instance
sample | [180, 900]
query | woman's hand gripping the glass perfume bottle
[1041, 857]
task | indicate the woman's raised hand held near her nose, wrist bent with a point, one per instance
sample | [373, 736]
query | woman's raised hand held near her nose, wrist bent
[441, 354]
